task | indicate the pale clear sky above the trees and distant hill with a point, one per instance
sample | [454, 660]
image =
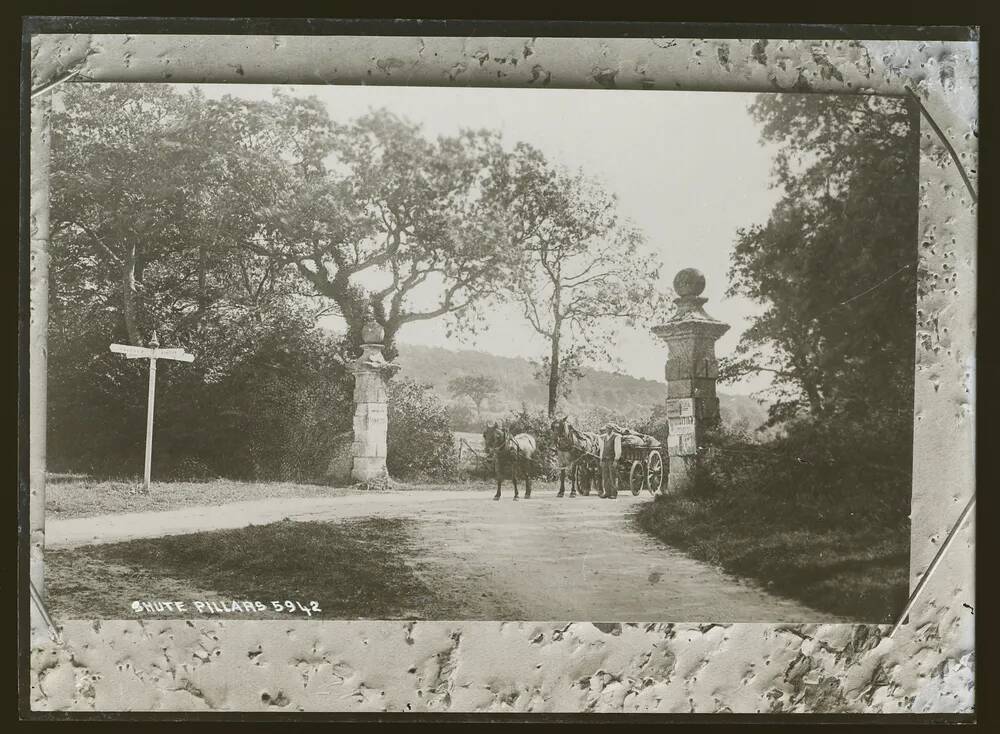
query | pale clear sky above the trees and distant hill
[687, 168]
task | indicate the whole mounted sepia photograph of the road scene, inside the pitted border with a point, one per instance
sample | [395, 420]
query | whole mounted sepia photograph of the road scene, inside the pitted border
[419, 353]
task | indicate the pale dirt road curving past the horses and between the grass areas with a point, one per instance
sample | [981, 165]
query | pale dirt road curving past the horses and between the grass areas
[540, 559]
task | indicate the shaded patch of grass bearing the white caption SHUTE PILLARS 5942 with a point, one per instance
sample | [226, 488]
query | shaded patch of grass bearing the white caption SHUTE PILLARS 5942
[355, 569]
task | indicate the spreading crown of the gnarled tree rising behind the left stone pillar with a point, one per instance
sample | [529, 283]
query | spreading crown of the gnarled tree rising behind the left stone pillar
[389, 225]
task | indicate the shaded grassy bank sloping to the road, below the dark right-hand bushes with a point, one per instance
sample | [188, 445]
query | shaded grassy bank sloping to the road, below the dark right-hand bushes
[846, 565]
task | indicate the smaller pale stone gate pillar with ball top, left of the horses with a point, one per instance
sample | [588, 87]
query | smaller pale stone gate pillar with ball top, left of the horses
[371, 410]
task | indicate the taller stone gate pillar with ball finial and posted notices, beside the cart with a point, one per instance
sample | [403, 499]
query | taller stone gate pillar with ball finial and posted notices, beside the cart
[691, 371]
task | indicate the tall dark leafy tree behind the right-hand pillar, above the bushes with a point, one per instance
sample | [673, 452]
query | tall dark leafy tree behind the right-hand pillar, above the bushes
[835, 265]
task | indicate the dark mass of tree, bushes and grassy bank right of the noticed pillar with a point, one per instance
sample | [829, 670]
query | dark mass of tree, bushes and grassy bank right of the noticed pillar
[819, 510]
